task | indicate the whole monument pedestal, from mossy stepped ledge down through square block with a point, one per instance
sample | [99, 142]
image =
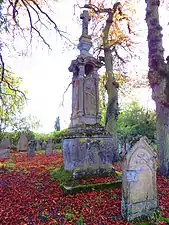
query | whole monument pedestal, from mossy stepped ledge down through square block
[88, 150]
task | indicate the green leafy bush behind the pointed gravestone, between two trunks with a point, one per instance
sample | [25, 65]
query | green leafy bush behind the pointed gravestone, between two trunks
[135, 121]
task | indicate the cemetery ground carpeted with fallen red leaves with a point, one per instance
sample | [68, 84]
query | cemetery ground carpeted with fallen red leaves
[30, 194]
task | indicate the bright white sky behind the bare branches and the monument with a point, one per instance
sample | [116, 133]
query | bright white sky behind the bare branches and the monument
[45, 74]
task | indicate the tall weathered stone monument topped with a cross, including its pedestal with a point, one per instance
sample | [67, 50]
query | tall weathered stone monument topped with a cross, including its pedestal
[88, 147]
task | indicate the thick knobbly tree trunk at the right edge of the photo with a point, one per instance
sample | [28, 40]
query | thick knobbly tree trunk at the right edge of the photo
[159, 81]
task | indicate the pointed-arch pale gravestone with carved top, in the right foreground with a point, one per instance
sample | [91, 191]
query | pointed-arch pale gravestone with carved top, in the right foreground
[139, 191]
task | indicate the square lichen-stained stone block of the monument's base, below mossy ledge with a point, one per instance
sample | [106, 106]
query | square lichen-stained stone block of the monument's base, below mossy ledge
[81, 153]
